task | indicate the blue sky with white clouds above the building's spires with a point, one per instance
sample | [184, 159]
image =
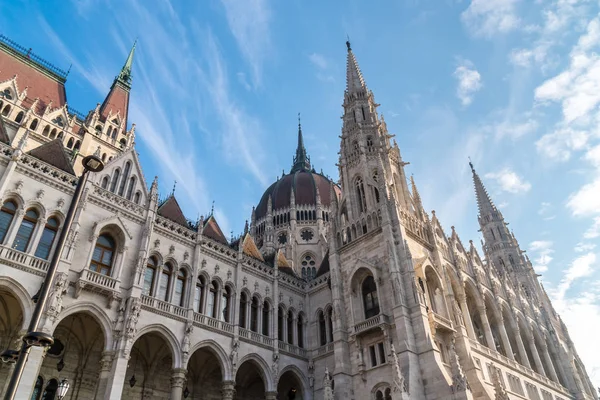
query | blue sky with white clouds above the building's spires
[217, 85]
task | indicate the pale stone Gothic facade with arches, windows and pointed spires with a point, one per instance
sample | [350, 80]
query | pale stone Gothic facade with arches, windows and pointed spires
[147, 304]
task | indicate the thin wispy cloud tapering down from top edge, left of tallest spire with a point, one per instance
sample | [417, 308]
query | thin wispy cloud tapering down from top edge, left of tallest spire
[249, 22]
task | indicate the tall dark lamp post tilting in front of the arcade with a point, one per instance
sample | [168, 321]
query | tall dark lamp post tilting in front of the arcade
[34, 338]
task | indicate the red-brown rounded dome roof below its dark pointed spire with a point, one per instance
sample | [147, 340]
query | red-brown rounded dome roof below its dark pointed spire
[304, 184]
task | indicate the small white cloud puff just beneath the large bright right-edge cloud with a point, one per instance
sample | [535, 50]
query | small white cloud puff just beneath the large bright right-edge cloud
[559, 144]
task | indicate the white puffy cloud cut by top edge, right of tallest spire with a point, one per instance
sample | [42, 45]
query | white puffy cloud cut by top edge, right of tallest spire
[490, 17]
